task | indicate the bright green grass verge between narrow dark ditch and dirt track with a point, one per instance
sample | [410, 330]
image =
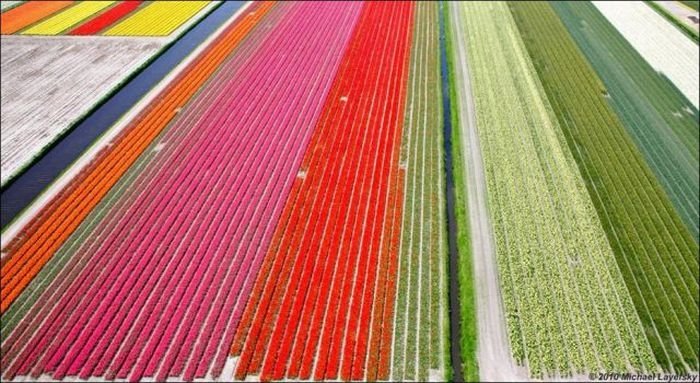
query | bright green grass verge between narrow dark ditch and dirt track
[468, 341]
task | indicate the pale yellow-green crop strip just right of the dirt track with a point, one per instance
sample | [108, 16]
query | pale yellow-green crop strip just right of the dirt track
[567, 308]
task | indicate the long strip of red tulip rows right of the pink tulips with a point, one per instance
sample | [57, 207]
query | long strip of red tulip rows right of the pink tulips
[323, 307]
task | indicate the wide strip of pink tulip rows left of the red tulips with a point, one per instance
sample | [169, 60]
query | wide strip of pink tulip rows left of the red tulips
[178, 176]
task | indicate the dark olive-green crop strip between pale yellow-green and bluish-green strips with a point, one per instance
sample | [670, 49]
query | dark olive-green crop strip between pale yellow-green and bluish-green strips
[655, 251]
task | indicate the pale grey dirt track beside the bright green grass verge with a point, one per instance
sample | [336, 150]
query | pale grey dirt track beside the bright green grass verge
[493, 350]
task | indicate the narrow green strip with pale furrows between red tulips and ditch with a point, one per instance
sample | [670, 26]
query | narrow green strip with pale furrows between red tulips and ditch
[421, 312]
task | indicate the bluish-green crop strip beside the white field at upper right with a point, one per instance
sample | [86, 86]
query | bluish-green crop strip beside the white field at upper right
[661, 121]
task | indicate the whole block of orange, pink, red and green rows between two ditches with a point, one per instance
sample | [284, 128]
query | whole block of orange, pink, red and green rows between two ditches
[141, 220]
